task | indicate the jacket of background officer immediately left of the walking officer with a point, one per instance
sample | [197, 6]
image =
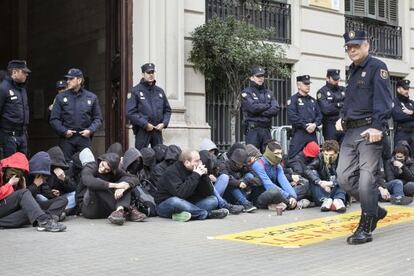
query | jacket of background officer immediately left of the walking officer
[331, 99]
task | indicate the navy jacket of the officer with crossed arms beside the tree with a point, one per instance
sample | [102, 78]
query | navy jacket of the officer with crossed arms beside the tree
[259, 105]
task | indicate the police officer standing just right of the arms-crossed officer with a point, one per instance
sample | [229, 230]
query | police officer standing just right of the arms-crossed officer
[304, 115]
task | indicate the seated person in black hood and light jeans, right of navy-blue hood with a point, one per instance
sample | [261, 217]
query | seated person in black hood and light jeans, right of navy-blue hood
[58, 181]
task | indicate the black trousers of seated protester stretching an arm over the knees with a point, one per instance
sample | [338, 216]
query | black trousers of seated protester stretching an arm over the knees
[101, 203]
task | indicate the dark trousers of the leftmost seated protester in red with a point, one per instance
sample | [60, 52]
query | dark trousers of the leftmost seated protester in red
[18, 209]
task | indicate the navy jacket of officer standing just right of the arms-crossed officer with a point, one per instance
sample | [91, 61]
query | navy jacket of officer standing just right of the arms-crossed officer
[303, 110]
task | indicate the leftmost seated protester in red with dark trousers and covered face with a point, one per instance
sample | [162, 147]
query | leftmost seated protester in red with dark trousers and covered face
[17, 205]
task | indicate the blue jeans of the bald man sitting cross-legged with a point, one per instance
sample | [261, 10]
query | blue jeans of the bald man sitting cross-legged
[198, 210]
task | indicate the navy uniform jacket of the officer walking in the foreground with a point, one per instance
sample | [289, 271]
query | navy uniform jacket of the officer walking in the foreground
[368, 93]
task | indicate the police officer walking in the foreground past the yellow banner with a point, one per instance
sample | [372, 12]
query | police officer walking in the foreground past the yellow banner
[364, 117]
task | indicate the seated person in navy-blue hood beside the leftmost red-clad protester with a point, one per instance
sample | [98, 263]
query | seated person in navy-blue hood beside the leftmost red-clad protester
[51, 201]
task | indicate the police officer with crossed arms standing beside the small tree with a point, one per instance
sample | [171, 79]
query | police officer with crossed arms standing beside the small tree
[259, 107]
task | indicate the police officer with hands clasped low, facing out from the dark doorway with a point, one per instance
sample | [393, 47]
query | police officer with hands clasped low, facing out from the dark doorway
[76, 115]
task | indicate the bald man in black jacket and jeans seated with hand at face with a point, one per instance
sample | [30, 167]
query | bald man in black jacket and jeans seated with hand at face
[185, 191]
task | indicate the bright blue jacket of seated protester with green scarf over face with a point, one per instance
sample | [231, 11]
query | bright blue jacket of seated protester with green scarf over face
[273, 177]
